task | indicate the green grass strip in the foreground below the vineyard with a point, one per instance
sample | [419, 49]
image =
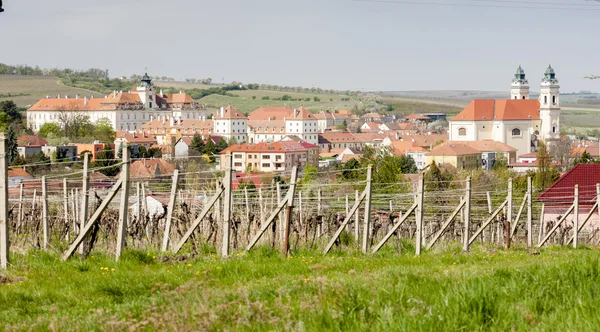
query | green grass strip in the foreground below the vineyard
[487, 289]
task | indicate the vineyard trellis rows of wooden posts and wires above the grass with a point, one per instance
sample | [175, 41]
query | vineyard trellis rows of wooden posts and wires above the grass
[201, 211]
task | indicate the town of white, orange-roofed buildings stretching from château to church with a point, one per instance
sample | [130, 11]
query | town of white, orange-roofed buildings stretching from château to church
[272, 139]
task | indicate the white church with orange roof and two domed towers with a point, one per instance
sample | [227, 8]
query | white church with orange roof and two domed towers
[518, 122]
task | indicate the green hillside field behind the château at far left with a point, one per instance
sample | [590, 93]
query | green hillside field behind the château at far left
[31, 89]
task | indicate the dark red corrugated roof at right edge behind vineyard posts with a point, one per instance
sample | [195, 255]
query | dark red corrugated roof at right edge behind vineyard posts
[562, 191]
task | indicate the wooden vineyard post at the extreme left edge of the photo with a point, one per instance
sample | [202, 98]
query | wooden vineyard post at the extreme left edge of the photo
[4, 239]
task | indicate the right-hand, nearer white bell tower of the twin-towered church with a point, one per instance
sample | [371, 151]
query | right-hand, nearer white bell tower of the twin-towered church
[549, 105]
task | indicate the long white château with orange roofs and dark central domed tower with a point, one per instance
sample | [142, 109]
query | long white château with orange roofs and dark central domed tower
[125, 111]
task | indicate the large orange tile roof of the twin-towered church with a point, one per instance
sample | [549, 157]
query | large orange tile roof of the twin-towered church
[490, 109]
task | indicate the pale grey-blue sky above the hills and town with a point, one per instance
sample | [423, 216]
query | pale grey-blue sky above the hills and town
[332, 44]
